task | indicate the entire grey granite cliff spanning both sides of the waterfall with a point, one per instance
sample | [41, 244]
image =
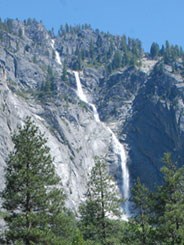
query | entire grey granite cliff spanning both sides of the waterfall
[143, 105]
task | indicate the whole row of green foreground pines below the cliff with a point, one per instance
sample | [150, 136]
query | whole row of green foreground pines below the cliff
[33, 202]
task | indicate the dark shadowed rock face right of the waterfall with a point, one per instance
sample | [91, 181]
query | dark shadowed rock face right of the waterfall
[156, 125]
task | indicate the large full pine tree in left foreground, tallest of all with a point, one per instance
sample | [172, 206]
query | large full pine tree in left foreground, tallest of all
[34, 204]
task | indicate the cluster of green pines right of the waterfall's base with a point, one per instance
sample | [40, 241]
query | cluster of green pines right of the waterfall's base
[160, 216]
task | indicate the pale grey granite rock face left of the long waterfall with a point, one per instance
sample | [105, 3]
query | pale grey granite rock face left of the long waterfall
[25, 90]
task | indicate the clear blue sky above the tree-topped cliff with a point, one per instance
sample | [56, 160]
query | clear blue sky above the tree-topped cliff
[148, 20]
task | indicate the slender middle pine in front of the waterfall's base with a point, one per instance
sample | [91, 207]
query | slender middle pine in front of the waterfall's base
[102, 201]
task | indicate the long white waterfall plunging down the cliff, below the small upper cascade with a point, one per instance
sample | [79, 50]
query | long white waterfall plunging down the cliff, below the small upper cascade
[117, 146]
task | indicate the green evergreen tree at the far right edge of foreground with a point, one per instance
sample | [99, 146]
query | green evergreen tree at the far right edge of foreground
[170, 204]
